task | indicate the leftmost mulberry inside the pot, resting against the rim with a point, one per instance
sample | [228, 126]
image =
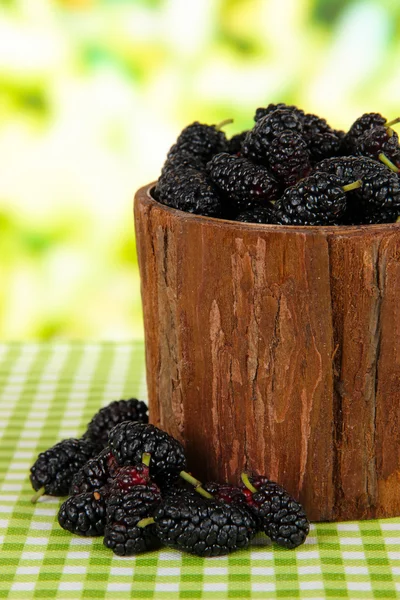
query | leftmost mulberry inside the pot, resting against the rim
[189, 190]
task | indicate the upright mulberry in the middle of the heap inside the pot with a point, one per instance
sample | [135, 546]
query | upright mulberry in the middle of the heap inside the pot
[289, 158]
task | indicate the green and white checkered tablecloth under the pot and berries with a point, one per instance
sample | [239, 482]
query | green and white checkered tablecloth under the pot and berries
[50, 391]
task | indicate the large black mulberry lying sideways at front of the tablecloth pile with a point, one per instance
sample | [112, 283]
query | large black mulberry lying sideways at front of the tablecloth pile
[201, 526]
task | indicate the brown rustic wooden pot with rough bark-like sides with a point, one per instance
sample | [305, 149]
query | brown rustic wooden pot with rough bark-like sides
[276, 349]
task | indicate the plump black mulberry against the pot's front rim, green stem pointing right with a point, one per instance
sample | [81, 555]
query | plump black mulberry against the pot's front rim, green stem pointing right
[315, 200]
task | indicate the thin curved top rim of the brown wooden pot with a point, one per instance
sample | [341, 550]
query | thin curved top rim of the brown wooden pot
[144, 193]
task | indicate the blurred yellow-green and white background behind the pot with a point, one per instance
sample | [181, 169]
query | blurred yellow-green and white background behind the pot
[93, 93]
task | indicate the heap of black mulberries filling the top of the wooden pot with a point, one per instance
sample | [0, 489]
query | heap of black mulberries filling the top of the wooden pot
[291, 168]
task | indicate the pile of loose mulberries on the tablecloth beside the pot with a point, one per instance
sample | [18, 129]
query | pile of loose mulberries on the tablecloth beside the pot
[138, 495]
